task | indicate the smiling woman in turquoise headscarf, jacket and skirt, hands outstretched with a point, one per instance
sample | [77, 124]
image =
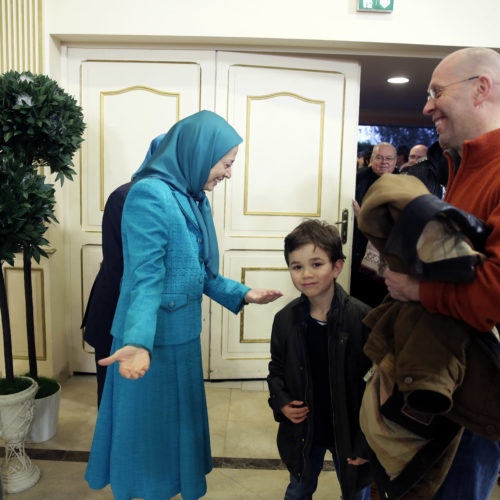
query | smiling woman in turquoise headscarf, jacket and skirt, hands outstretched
[151, 439]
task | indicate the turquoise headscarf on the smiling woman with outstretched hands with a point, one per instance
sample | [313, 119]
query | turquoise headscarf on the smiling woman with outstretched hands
[184, 158]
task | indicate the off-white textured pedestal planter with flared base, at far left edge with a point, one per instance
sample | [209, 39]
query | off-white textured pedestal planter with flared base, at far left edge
[16, 413]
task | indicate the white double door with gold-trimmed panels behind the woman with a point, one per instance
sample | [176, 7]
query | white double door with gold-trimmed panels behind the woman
[298, 118]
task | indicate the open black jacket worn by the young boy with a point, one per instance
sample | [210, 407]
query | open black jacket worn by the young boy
[289, 379]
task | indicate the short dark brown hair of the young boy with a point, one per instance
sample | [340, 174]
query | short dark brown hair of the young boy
[320, 234]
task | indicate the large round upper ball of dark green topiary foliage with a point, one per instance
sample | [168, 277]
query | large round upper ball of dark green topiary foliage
[40, 124]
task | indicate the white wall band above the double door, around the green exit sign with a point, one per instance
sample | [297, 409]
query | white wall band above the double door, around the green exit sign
[311, 23]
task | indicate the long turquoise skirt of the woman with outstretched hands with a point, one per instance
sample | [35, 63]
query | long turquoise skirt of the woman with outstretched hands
[151, 438]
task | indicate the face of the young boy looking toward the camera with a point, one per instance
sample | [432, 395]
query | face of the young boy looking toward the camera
[312, 272]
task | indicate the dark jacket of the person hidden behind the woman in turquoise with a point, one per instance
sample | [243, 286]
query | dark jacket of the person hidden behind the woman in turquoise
[106, 288]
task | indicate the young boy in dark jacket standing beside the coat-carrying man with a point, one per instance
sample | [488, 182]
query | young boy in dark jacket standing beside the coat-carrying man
[317, 367]
